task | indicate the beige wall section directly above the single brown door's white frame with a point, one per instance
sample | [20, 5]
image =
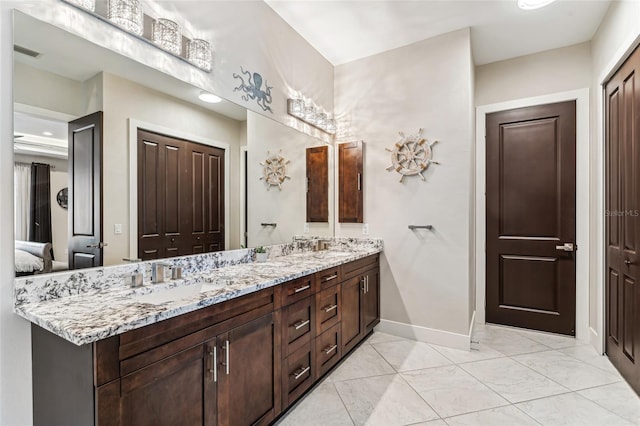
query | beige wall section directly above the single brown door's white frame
[553, 71]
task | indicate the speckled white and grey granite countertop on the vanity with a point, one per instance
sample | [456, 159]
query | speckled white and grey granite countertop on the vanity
[89, 317]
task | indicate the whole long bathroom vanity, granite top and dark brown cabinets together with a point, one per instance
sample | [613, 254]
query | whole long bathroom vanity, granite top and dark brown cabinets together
[233, 345]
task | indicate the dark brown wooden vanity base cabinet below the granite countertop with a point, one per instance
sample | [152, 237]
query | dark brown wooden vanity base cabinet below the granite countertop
[240, 362]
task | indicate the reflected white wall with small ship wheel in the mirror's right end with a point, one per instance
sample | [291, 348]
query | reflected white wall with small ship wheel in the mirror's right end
[286, 207]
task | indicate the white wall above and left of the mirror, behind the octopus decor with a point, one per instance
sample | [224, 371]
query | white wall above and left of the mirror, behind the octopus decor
[243, 33]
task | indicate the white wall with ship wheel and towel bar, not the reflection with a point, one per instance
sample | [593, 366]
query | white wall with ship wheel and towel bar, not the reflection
[426, 85]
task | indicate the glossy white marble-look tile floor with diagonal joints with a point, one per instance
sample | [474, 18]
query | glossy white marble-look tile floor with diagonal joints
[516, 377]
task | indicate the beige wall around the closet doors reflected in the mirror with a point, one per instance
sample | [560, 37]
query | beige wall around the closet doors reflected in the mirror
[125, 100]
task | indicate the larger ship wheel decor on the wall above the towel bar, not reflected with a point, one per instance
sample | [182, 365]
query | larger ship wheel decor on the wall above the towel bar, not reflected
[411, 155]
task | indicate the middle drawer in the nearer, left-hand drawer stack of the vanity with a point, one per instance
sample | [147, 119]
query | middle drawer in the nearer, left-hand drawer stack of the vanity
[298, 325]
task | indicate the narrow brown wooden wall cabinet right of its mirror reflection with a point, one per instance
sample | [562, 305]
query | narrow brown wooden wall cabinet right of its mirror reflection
[350, 172]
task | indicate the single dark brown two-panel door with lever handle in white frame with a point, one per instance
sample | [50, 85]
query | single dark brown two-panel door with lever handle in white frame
[531, 209]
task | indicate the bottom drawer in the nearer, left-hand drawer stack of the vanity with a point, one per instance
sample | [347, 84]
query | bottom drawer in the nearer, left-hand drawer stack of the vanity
[298, 373]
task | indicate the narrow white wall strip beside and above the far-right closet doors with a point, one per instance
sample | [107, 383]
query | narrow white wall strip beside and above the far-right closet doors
[618, 34]
